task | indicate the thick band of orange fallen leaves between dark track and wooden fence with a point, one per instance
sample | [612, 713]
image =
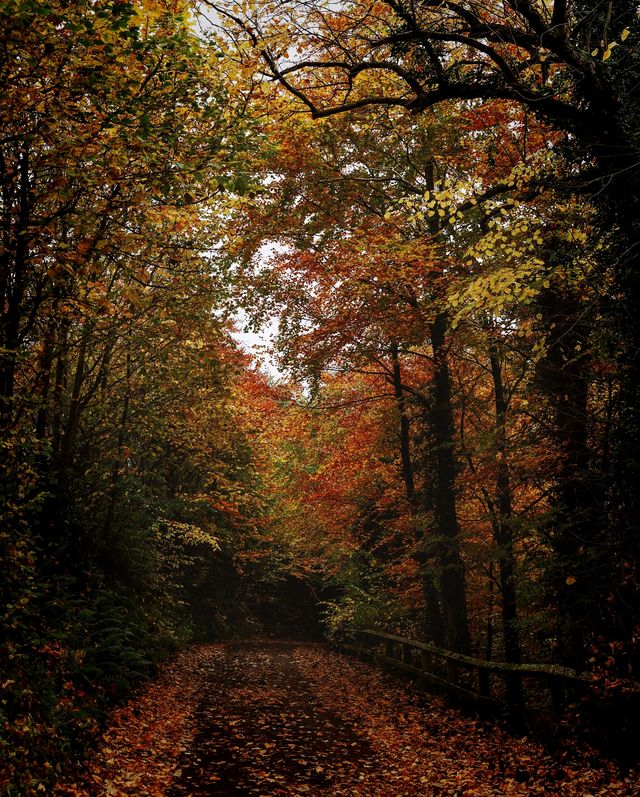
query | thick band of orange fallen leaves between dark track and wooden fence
[425, 747]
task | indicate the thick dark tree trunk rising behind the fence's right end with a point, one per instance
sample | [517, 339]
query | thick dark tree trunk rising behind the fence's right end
[579, 577]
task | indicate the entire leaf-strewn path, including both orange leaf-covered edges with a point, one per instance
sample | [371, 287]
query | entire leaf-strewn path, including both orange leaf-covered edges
[280, 718]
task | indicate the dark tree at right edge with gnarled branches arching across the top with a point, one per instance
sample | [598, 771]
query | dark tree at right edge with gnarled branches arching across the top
[573, 66]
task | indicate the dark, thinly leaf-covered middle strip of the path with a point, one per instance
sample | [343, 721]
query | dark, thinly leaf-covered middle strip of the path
[270, 732]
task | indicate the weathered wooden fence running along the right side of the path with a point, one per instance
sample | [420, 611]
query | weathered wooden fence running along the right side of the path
[489, 683]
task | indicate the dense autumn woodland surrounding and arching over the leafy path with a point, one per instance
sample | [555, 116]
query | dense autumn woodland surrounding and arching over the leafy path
[439, 206]
